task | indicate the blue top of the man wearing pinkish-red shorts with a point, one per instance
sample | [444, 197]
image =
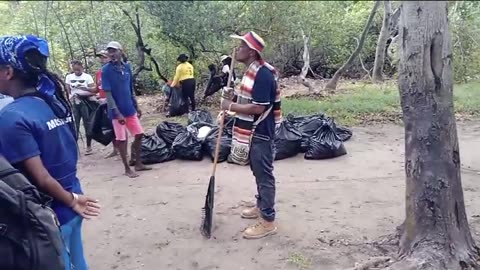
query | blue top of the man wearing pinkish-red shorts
[117, 79]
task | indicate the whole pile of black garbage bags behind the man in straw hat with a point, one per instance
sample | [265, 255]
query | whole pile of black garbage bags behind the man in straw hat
[316, 136]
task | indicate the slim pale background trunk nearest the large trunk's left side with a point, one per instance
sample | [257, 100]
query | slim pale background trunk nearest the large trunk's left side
[382, 43]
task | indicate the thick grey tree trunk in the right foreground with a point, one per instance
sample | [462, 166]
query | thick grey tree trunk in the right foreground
[436, 233]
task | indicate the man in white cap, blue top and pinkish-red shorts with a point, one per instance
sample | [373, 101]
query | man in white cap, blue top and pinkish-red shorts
[122, 106]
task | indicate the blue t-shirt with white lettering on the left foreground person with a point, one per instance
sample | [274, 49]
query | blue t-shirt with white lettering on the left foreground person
[29, 128]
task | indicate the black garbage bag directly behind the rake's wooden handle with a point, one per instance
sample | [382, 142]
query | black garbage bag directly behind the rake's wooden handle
[225, 144]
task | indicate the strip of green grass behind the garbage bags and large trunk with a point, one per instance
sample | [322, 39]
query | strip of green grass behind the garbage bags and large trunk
[369, 101]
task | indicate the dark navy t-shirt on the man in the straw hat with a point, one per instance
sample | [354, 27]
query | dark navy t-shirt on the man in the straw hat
[264, 93]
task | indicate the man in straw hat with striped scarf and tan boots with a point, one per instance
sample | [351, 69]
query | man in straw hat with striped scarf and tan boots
[257, 106]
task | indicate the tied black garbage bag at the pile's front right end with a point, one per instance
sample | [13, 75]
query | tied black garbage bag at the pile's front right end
[325, 143]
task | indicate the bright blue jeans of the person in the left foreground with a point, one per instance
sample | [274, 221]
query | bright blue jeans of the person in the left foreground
[72, 237]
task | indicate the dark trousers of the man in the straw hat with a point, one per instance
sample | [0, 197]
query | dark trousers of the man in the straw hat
[261, 164]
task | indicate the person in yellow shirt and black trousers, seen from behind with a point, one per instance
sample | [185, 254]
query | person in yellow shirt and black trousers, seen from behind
[185, 80]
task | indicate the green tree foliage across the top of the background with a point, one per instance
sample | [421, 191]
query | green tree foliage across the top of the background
[201, 29]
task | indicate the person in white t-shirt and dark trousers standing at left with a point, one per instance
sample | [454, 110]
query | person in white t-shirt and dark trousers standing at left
[82, 91]
